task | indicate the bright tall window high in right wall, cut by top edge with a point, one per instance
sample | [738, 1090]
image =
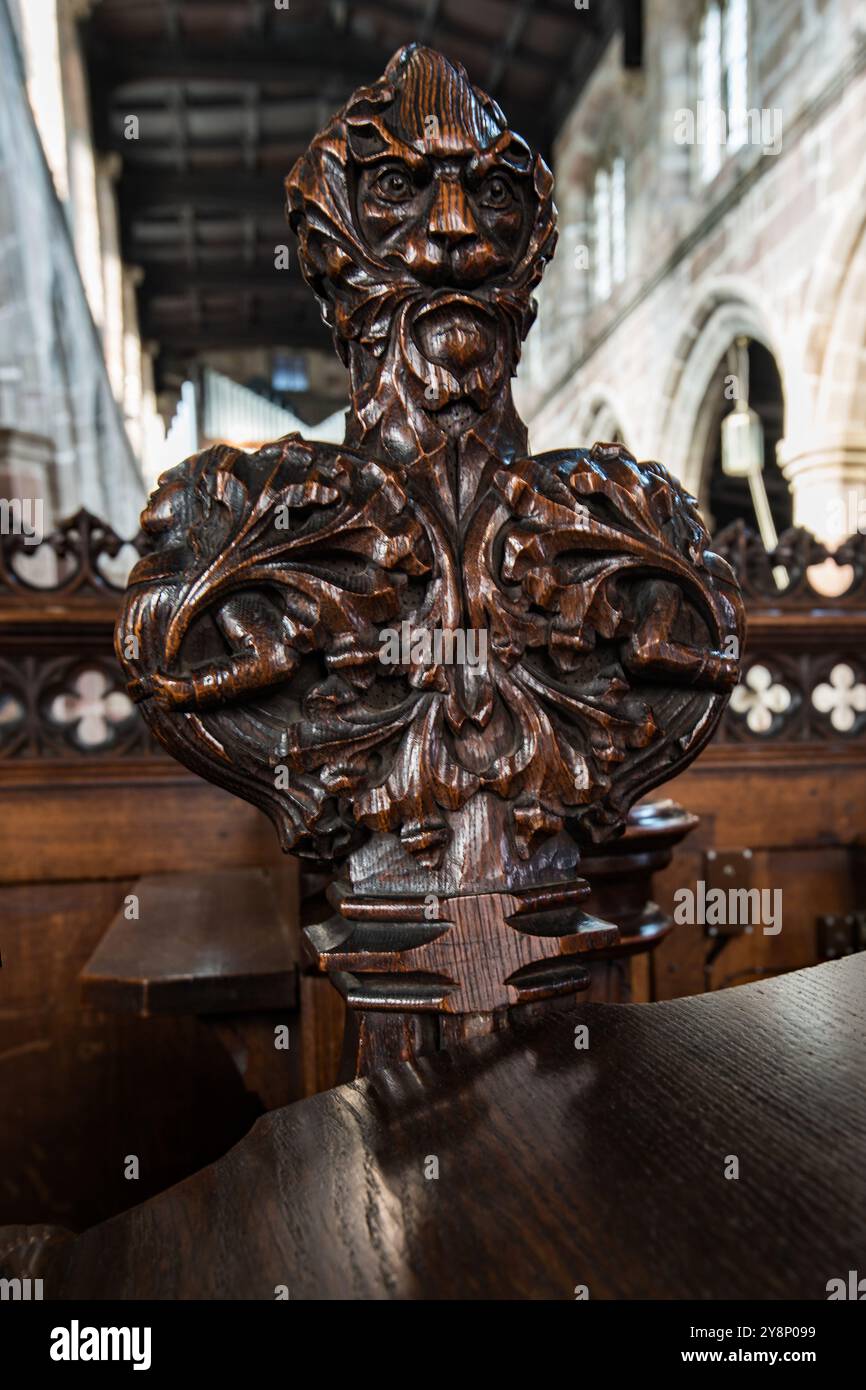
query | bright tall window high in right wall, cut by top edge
[724, 83]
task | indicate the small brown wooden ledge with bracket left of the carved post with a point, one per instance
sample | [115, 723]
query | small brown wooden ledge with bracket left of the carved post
[223, 946]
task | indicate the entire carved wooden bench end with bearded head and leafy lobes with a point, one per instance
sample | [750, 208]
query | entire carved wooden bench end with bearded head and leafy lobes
[436, 661]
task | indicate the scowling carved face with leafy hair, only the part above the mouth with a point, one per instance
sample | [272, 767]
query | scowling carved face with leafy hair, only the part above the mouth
[419, 184]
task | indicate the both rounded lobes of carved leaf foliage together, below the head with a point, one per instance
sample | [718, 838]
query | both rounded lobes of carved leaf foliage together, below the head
[589, 582]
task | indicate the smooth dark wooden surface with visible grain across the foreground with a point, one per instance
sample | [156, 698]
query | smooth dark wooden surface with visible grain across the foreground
[558, 1168]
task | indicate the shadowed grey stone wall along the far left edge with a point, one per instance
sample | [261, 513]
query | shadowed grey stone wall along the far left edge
[62, 433]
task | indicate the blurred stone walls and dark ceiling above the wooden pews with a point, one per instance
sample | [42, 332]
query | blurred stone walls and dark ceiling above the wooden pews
[708, 184]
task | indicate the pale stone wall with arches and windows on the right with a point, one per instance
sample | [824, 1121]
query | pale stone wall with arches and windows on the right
[774, 248]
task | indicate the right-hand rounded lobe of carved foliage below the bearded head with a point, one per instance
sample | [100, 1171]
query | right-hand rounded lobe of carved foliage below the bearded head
[605, 596]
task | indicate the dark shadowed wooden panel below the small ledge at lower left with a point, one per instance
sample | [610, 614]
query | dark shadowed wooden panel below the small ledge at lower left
[80, 1090]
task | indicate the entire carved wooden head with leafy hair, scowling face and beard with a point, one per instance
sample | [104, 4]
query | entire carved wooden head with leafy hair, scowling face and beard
[422, 215]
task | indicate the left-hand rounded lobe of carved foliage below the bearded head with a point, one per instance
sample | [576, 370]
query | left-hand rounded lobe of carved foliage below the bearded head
[268, 559]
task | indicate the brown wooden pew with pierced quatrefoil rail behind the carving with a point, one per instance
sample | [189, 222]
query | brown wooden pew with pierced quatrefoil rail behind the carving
[83, 822]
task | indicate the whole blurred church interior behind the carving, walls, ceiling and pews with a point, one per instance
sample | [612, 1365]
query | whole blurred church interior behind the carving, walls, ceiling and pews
[707, 308]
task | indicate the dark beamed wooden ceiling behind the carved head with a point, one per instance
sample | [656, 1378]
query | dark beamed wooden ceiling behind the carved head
[230, 92]
